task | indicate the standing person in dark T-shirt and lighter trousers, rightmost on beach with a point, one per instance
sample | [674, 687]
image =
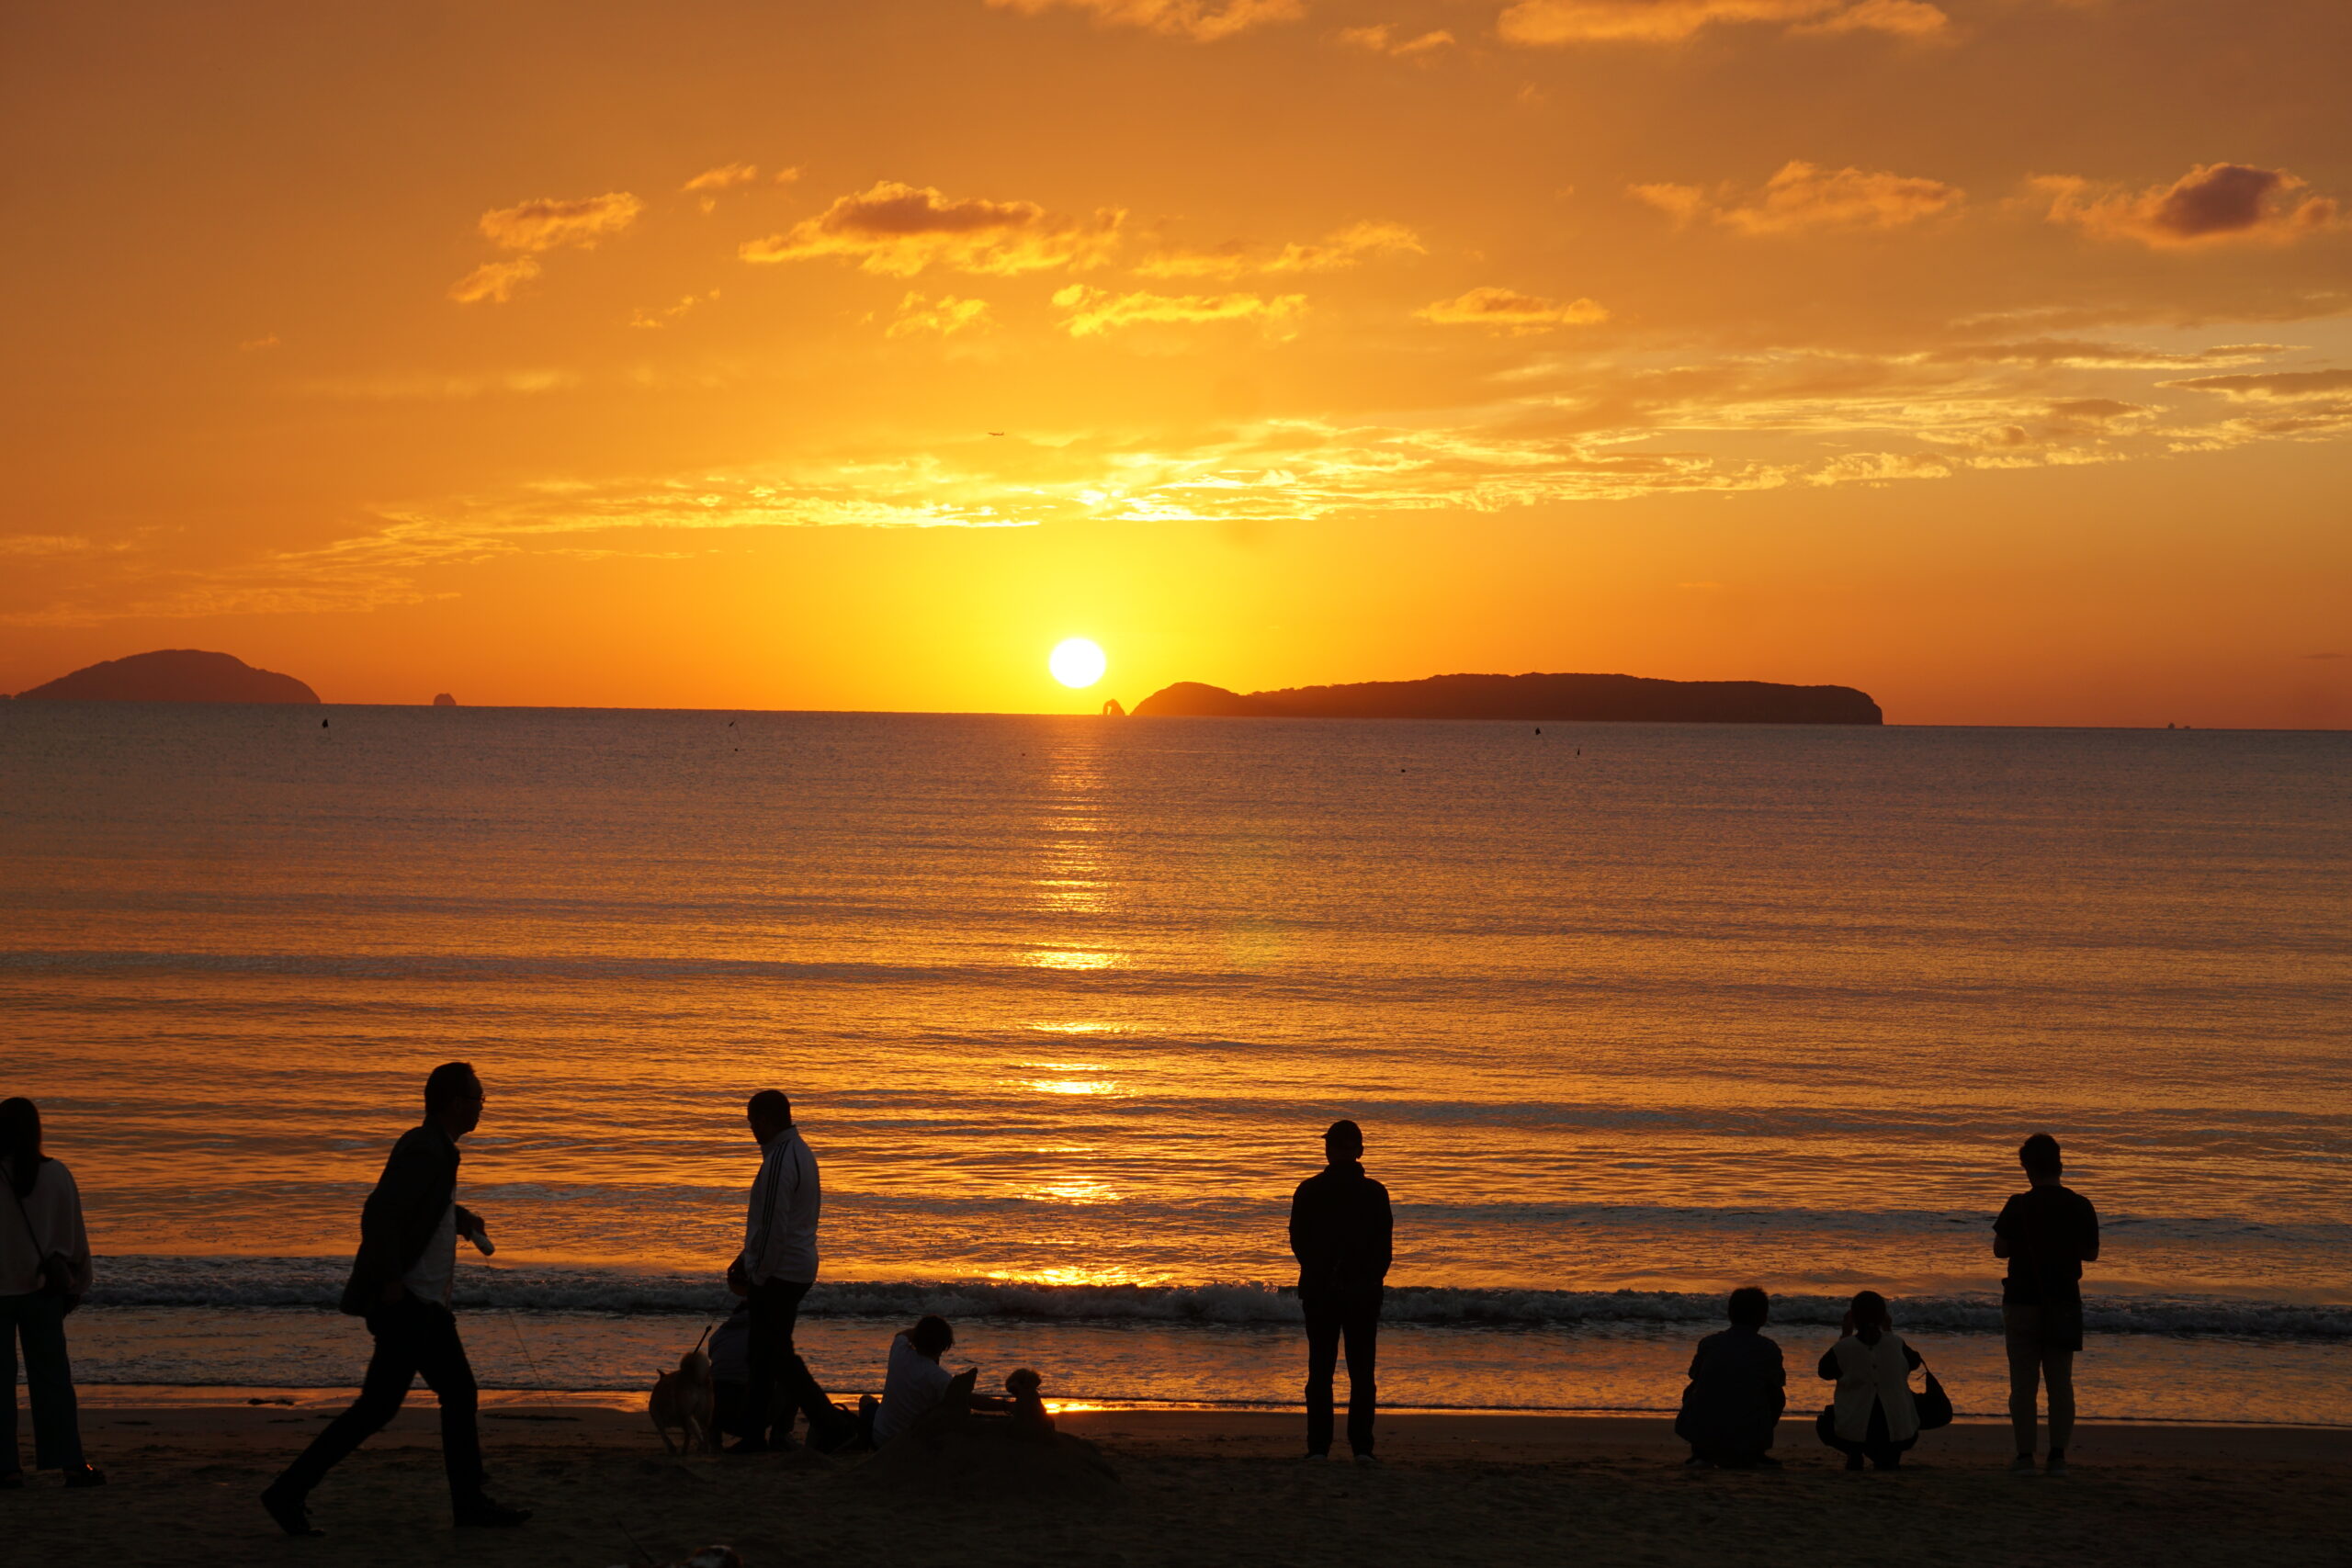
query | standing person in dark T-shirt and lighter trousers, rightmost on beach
[2047, 1233]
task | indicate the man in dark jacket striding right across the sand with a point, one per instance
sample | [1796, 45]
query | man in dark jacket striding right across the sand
[401, 1285]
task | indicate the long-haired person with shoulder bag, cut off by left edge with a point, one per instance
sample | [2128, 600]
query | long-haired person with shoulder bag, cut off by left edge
[44, 1278]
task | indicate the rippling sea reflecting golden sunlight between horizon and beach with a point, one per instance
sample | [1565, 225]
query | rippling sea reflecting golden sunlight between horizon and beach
[1631, 1014]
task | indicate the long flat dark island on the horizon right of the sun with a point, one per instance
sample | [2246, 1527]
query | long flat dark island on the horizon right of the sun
[1631, 699]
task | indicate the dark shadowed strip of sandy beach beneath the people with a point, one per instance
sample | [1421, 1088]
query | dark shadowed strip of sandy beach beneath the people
[1205, 1487]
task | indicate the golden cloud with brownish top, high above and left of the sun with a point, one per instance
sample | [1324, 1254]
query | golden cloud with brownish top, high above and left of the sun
[897, 232]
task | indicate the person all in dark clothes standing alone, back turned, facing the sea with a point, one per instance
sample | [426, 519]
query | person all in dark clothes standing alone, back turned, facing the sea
[1342, 1235]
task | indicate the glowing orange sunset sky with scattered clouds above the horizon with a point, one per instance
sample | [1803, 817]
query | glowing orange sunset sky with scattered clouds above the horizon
[1986, 354]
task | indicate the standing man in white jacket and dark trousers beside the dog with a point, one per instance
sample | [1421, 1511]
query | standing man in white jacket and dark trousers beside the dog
[775, 1271]
